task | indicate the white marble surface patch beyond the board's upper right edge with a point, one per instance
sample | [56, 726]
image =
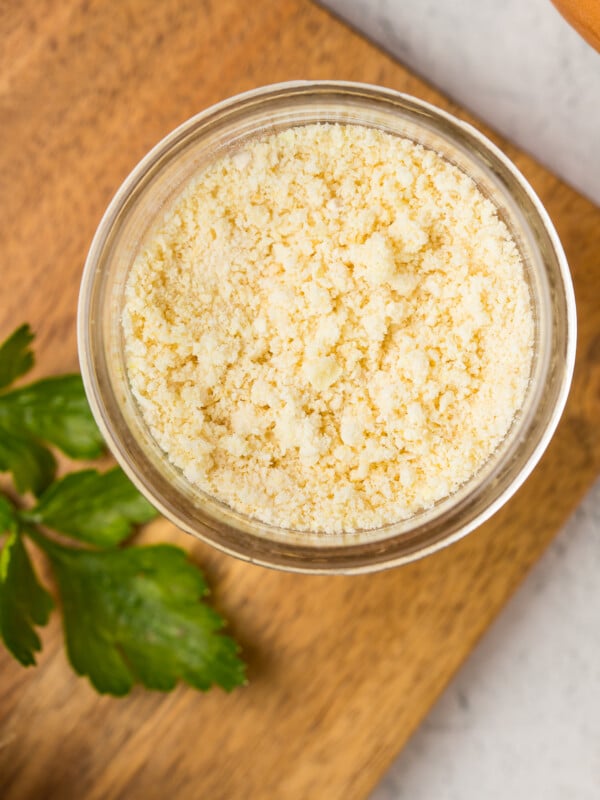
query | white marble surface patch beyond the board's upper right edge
[515, 63]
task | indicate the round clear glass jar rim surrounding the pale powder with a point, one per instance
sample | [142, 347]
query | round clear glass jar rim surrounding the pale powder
[162, 174]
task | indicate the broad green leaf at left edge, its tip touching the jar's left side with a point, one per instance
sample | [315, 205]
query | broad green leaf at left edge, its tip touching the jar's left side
[54, 410]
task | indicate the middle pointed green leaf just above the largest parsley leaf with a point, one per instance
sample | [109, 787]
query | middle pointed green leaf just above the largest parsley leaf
[98, 508]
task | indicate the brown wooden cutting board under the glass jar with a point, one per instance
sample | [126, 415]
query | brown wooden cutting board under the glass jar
[341, 669]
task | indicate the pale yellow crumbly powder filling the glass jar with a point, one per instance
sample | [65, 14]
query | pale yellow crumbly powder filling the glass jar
[329, 330]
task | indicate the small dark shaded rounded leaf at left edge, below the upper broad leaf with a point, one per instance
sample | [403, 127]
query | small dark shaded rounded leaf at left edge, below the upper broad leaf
[32, 465]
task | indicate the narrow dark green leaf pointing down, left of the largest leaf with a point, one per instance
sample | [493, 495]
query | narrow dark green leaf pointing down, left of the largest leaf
[23, 602]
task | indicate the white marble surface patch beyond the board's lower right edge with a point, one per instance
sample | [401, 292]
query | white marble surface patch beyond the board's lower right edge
[521, 720]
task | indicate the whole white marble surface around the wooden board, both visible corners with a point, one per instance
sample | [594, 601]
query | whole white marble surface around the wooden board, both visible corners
[522, 717]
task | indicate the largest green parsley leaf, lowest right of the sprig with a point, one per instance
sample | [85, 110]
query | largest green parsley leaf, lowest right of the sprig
[137, 615]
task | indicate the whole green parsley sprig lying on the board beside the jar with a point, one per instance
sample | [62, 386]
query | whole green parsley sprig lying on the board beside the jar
[130, 614]
